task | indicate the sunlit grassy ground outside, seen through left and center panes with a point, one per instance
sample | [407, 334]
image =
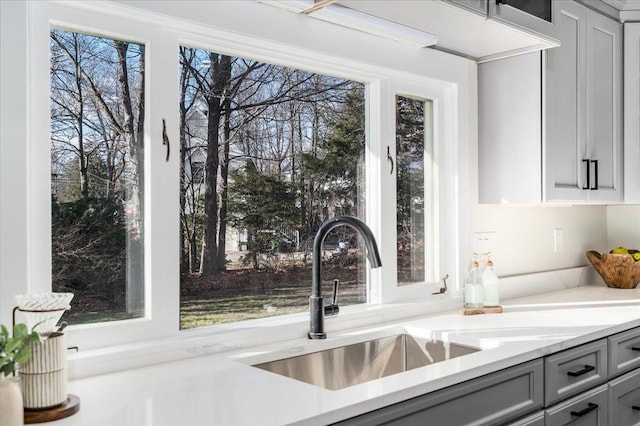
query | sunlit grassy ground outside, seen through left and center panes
[235, 295]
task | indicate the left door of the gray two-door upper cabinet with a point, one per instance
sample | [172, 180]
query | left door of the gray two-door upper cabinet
[565, 88]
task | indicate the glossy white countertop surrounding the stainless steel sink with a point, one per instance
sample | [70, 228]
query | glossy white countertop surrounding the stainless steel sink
[224, 389]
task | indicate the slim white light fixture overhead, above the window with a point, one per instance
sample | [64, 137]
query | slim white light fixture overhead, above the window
[359, 21]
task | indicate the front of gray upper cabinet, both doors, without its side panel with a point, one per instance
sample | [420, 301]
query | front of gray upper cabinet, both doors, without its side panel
[583, 155]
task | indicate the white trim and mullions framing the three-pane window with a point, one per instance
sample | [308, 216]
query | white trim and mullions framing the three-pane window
[451, 84]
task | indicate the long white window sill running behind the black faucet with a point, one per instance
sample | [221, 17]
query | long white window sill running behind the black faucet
[234, 336]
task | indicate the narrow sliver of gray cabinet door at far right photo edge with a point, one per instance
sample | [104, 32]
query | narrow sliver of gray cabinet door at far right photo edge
[632, 112]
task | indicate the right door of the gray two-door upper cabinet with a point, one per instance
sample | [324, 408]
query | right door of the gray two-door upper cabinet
[604, 108]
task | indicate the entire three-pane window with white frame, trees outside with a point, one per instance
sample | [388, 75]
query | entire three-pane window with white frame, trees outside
[318, 151]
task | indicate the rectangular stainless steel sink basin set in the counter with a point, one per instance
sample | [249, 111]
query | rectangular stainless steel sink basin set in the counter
[357, 363]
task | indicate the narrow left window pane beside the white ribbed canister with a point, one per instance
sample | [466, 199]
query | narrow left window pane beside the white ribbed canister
[97, 169]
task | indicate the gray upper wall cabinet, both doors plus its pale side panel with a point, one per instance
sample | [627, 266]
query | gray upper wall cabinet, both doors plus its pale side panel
[555, 121]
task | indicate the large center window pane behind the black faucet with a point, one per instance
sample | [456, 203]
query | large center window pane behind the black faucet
[281, 150]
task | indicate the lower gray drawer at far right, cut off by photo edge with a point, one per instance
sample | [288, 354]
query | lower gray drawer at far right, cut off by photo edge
[624, 400]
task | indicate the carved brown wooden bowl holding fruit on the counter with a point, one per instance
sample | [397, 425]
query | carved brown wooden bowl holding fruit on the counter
[617, 270]
